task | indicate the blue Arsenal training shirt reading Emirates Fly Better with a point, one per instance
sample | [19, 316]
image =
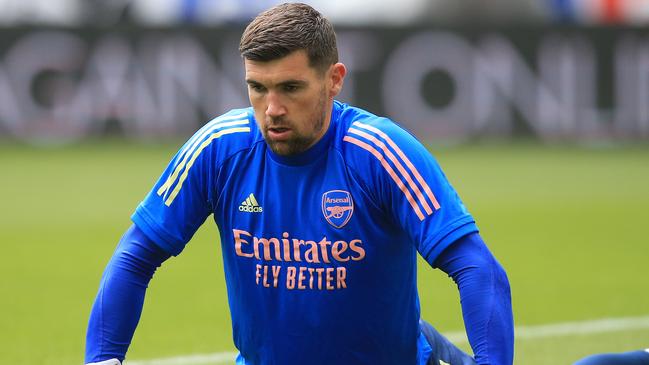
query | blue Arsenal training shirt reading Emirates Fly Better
[319, 248]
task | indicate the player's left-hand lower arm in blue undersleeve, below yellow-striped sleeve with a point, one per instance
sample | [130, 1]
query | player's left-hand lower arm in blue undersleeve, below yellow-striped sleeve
[118, 304]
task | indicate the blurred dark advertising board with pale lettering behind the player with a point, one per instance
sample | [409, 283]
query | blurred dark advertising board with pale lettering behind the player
[443, 84]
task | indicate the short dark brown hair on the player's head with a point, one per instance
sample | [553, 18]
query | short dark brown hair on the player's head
[290, 27]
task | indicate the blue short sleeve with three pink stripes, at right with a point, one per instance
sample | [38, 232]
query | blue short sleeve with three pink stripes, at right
[411, 186]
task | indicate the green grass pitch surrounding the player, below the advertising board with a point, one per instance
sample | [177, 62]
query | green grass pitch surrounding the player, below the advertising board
[569, 224]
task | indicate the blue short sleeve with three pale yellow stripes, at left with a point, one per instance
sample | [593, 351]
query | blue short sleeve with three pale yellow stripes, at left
[182, 198]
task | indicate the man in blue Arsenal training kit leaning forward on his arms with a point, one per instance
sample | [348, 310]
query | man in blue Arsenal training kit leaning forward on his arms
[321, 208]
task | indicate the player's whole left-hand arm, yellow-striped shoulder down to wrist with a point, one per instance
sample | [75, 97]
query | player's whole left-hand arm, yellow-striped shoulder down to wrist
[165, 221]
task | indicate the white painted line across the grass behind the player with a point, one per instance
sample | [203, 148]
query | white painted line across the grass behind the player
[522, 332]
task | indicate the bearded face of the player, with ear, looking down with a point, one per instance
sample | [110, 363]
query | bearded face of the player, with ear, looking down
[292, 101]
